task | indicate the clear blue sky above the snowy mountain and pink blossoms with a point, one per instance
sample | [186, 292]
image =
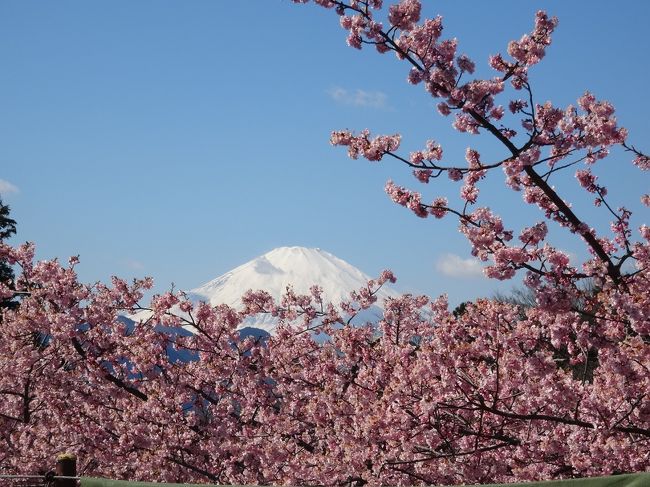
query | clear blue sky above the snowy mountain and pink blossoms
[181, 139]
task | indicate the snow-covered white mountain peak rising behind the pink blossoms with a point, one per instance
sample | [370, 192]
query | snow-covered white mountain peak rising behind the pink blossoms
[298, 267]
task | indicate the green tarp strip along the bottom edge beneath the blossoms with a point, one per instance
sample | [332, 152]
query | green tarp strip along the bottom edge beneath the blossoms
[629, 480]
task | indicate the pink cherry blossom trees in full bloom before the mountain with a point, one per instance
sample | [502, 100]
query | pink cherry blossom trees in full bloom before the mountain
[495, 393]
